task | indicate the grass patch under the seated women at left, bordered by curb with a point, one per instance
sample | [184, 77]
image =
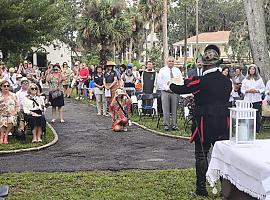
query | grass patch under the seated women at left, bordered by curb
[15, 144]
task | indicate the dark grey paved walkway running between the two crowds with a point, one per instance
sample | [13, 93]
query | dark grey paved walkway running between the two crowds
[86, 142]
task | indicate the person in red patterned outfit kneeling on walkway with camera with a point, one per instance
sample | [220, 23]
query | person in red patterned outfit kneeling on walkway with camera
[119, 109]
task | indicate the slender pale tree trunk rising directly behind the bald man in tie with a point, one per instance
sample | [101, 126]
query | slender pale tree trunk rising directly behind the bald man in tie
[165, 29]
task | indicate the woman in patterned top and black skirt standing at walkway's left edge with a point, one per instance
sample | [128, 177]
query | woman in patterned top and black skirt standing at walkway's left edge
[55, 80]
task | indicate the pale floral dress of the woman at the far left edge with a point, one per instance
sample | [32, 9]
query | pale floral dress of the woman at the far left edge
[8, 110]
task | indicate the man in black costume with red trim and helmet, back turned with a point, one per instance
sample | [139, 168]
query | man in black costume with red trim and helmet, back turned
[210, 124]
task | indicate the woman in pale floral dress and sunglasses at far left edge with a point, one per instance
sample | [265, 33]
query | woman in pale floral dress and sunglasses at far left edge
[9, 107]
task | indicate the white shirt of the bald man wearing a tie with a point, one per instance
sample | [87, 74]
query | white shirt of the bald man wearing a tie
[164, 76]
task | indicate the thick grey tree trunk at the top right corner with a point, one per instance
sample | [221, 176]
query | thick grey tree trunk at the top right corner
[257, 32]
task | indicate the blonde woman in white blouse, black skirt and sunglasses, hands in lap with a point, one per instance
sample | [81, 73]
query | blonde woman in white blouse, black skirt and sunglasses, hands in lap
[33, 106]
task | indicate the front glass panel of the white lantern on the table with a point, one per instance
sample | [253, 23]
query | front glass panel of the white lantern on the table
[245, 130]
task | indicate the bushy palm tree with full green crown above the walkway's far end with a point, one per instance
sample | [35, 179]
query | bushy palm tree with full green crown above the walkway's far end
[103, 23]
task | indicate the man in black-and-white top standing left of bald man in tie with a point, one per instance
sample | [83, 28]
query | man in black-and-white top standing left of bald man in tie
[149, 79]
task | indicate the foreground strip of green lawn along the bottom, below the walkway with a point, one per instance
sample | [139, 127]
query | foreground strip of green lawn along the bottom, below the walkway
[123, 185]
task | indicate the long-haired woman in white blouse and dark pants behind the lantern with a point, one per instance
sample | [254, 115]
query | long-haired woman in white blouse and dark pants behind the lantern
[252, 88]
